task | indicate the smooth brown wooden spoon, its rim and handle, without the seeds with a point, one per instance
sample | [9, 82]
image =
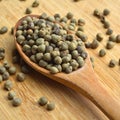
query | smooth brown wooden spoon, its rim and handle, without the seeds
[83, 80]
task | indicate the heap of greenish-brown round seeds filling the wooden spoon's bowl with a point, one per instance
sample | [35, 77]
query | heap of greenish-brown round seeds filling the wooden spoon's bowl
[49, 45]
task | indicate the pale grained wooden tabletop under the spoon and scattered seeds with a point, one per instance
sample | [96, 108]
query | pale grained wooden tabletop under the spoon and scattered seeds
[69, 104]
